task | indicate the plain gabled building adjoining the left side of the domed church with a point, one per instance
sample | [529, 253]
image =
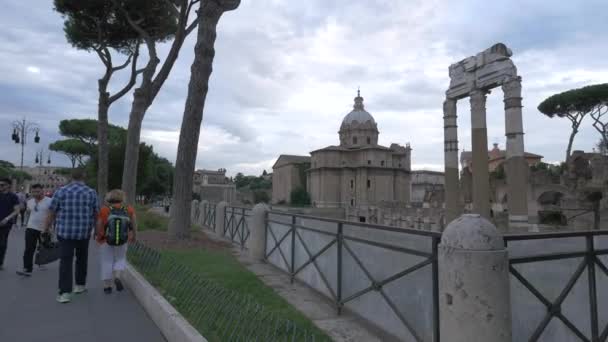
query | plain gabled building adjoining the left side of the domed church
[288, 173]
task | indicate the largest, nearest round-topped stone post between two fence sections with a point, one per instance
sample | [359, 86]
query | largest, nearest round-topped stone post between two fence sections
[474, 287]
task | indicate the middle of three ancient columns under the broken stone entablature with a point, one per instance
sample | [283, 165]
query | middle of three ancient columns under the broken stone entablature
[479, 137]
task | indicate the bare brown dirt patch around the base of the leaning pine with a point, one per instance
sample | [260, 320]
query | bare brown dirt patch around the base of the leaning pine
[198, 240]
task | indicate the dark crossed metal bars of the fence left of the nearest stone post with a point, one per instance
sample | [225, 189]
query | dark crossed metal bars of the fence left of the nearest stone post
[336, 295]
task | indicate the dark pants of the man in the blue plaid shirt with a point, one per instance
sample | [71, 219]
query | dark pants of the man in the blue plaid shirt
[68, 248]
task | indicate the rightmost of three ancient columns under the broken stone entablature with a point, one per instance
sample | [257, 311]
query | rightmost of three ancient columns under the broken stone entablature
[516, 166]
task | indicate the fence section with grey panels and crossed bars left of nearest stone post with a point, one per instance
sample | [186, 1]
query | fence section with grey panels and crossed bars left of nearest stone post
[387, 275]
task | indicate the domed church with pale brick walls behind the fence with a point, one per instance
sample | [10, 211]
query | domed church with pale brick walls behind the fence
[359, 174]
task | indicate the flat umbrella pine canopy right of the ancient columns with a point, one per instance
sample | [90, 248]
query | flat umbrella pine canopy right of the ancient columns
[576, 100]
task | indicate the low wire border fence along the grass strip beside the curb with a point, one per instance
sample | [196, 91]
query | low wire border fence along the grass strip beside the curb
[218, 313]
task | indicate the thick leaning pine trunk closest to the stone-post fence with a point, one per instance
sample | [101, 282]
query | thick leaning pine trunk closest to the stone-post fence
[204, 52]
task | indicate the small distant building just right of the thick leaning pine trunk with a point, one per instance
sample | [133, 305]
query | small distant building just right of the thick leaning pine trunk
[214, 186]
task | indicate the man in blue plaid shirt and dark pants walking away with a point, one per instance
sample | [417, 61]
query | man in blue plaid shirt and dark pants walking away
[74, 210]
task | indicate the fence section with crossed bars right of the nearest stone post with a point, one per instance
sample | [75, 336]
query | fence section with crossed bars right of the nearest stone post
[557, 281]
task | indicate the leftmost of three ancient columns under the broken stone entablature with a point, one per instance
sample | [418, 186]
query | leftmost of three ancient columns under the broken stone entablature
[450, 136]
